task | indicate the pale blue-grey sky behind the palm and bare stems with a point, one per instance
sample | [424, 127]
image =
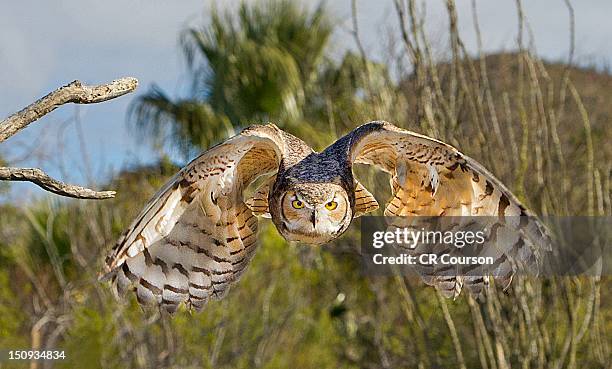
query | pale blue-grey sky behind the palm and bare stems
[45, 44]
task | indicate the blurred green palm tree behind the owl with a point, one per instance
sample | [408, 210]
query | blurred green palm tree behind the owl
[254, 65]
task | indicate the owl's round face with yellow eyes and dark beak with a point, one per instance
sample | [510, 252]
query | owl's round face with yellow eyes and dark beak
[313, 213]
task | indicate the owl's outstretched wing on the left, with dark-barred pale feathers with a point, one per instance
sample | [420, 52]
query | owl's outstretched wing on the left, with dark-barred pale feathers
[196, 236]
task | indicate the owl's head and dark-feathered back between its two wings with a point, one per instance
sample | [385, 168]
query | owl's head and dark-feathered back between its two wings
[314, 179]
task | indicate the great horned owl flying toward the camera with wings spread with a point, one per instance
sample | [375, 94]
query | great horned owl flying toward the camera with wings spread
[198, 233]
